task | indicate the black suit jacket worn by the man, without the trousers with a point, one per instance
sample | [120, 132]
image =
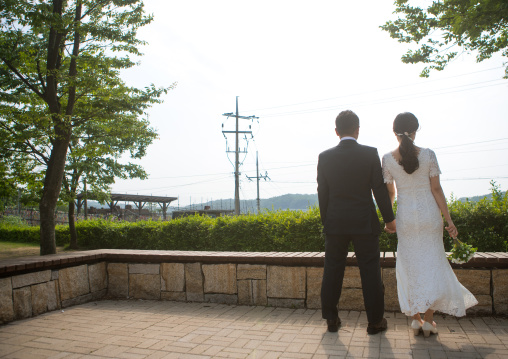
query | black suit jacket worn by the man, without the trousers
[347, 175]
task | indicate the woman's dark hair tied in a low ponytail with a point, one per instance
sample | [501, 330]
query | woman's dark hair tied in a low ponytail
[404, 125]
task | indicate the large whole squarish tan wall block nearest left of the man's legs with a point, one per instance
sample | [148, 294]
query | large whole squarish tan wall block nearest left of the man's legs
[286, 282]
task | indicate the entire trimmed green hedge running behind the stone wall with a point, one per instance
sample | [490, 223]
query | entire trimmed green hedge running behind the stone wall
[483, 224]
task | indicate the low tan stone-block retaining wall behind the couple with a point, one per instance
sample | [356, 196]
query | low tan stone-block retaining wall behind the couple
[33, 286]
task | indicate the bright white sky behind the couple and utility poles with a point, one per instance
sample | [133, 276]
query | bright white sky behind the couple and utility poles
[296, 65]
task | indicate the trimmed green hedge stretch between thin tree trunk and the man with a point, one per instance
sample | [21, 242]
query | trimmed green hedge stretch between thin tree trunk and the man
[283, 231]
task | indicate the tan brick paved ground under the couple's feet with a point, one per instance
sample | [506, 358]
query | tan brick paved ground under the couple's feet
[153, 329]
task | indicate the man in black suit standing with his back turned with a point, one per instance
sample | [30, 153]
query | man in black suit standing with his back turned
[347, 175]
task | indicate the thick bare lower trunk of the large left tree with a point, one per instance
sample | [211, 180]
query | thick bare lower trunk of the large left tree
[51, 191]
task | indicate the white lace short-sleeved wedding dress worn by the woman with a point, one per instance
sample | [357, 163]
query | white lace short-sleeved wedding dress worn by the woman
[424, 276]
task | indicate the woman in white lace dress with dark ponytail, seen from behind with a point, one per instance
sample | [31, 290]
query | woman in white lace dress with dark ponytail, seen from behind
[425, 279]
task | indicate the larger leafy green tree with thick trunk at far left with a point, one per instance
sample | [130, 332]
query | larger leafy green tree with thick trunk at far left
[56, 56]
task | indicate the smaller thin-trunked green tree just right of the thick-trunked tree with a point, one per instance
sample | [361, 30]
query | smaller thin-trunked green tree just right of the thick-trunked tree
[97, 147]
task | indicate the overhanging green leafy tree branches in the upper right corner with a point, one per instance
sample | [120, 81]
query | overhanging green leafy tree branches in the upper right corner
[448, 28]
